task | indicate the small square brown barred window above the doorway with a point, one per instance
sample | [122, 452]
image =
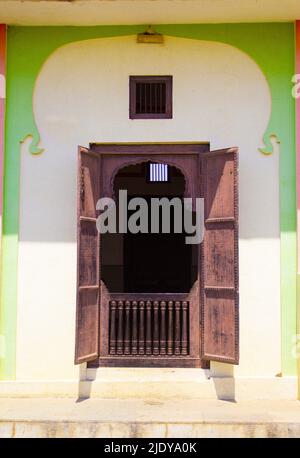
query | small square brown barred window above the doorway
[150, 97]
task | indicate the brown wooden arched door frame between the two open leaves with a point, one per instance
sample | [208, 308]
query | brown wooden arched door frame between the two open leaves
[183, 156]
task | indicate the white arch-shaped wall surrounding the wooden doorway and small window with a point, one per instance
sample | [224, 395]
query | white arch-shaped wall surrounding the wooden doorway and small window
[81, 95]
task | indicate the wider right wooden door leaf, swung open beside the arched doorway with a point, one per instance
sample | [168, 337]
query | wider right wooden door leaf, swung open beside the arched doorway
[219, 257]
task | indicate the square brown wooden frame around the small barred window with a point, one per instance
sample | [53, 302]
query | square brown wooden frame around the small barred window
[167, 79]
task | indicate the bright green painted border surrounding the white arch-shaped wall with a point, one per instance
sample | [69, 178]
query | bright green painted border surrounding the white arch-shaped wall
[270, 45]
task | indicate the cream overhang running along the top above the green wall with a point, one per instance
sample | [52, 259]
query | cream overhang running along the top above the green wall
[93, 12]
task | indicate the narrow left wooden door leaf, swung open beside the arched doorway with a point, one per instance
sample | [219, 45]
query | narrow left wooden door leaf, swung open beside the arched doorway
[88, 255]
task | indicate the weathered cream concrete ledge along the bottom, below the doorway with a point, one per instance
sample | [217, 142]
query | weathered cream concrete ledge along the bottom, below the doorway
[118, 418]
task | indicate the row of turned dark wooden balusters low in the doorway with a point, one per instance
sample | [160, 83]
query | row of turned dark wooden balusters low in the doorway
[151, 328]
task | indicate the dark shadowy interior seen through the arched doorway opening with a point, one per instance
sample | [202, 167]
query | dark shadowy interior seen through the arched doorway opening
[149, 263]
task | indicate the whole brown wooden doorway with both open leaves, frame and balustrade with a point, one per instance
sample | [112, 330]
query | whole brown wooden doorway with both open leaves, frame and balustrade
[166, 328]
